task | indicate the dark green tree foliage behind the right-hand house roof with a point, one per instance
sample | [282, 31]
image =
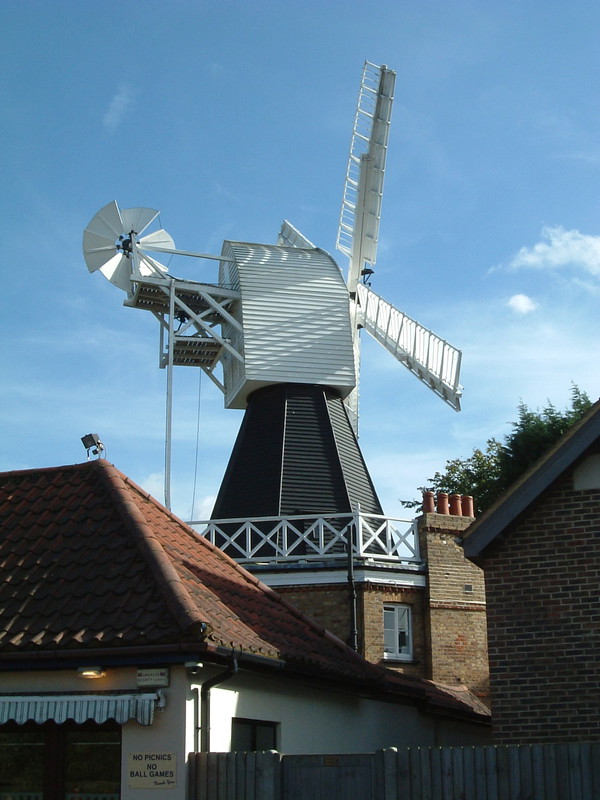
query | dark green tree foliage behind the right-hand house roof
[486, 474]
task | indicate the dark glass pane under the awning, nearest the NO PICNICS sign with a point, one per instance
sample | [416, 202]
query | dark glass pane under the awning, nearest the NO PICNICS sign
[93, 763]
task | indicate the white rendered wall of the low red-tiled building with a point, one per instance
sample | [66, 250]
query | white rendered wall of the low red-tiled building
[311, 720]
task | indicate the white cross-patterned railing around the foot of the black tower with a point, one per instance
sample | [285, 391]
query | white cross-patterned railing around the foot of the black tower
[314, 538]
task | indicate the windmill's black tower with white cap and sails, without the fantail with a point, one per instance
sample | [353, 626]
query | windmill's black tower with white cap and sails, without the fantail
[297, 451]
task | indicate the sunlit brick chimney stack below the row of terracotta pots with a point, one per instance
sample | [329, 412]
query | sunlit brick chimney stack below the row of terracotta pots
[455, 619]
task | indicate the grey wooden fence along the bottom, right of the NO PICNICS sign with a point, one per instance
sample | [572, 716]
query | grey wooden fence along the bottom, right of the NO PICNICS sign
[520, 772]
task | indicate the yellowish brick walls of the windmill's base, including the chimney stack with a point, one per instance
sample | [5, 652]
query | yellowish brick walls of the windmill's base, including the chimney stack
[448, 615]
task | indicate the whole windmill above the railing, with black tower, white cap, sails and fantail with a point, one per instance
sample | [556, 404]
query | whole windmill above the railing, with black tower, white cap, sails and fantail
[283, 324]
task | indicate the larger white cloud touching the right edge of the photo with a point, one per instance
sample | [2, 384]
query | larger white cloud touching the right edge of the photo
[561, 248]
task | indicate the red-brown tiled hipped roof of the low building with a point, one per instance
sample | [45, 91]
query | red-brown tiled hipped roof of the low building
[89, 561]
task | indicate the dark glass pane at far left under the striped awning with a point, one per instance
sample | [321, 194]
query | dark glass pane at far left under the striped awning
[21, 763]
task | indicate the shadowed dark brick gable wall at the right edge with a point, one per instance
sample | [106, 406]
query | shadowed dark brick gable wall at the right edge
[542, 582]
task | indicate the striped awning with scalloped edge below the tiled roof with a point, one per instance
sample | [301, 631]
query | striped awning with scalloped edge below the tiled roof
[79, 707]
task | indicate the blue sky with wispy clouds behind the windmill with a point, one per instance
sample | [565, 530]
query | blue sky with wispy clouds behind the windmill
[231, 116]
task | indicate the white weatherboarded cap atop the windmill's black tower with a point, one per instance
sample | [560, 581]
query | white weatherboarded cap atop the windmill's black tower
[294, 313]
